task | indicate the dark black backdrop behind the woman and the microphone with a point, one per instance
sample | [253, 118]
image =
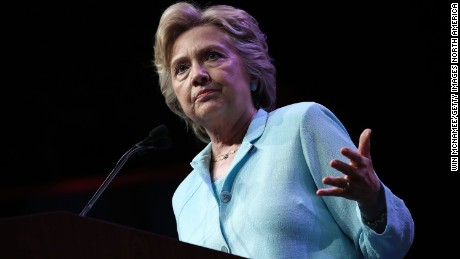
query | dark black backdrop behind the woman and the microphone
[79, 90]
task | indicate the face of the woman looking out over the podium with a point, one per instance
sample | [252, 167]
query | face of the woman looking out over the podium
[208, 76]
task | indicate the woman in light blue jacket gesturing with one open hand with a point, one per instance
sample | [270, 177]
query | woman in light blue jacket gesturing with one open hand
[271, 183]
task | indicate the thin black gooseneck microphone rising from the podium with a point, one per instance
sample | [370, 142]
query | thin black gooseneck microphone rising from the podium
[157, 139]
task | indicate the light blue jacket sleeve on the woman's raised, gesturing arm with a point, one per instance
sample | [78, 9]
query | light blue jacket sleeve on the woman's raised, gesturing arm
[322, 136]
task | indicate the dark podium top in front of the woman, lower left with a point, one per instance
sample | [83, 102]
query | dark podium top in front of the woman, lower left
[66, 235]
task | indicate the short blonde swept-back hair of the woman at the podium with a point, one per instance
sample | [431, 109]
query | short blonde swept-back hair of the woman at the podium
[246, 36]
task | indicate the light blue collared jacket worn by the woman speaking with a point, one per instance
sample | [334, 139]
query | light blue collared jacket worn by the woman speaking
[267, 207]
